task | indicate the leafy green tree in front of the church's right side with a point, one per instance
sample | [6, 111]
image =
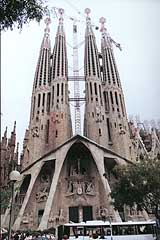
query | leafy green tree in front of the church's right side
[138, 184]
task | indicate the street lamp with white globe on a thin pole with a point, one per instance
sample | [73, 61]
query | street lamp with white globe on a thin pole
[14, 177]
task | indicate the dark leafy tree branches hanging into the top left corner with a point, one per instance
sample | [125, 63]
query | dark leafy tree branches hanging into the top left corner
[19, 12]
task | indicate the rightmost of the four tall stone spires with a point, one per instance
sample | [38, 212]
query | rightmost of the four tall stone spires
[116, 117]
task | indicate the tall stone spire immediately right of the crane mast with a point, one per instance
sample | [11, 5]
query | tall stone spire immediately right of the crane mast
[94, 111]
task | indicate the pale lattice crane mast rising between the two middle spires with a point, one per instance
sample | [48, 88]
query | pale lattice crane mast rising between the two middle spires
[76, 81]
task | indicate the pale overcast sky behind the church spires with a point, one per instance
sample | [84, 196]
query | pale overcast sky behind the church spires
[133, 23]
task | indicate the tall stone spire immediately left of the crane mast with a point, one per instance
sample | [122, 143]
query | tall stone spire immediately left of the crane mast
[59, 124]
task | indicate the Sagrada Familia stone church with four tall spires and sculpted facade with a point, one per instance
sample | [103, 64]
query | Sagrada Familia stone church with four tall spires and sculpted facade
[68, 177]
